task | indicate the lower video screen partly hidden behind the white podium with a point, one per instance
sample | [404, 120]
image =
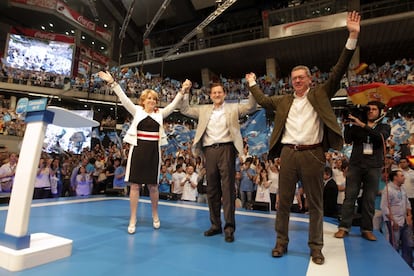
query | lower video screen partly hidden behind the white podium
[74, 140]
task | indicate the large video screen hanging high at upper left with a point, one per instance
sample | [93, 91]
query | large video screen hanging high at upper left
[28, 53]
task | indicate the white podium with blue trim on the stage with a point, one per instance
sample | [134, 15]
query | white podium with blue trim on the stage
[18, 249]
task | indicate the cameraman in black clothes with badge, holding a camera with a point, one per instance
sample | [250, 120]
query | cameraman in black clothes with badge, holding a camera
[367, 158]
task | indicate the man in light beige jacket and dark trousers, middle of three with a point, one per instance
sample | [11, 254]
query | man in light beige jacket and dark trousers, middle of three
[218, 139]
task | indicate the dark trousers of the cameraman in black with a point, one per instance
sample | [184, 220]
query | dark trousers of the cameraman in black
[366, 179]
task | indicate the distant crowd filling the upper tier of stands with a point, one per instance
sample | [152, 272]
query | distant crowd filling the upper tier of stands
[133, 82]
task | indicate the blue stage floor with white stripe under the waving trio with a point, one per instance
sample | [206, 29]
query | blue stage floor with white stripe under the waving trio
[102, 246]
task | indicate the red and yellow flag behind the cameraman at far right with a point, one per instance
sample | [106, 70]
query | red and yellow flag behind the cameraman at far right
[390, 95]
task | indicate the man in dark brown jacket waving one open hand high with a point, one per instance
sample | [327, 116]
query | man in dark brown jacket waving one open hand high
[305, 127]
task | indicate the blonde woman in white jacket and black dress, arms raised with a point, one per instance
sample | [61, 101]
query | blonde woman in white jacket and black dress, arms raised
[145, 136]
